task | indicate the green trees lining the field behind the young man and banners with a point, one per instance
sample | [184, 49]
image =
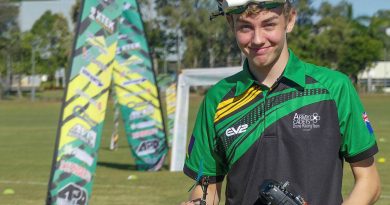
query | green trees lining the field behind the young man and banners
[328, 36]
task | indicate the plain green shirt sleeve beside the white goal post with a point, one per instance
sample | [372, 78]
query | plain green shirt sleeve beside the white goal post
[201, 158]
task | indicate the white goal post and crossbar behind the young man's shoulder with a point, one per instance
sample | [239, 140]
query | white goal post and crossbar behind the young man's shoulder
[191, 77]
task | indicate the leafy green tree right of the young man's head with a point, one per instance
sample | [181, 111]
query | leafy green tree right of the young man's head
[339, 41]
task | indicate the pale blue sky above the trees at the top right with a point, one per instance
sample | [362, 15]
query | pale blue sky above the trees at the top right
[360, 7]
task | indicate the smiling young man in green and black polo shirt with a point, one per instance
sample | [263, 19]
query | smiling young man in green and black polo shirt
[281, 119]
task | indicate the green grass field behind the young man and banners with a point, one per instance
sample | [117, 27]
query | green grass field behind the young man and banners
[27, 136]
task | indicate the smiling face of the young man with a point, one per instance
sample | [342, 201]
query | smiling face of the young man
[262, 37]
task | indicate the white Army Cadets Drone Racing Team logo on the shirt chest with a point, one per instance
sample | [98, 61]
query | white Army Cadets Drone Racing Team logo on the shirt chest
[306, 122]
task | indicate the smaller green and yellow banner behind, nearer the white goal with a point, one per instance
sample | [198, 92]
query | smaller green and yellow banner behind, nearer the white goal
[137, 92]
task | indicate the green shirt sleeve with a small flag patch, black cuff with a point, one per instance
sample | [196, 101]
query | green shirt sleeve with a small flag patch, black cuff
[358, 139]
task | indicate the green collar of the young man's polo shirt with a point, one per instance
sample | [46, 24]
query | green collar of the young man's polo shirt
[294, 71]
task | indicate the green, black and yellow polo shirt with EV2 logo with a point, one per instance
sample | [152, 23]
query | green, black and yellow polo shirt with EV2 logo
[300, 131]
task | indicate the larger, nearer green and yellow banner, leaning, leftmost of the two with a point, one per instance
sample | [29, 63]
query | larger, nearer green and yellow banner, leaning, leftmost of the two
[83, 111]
